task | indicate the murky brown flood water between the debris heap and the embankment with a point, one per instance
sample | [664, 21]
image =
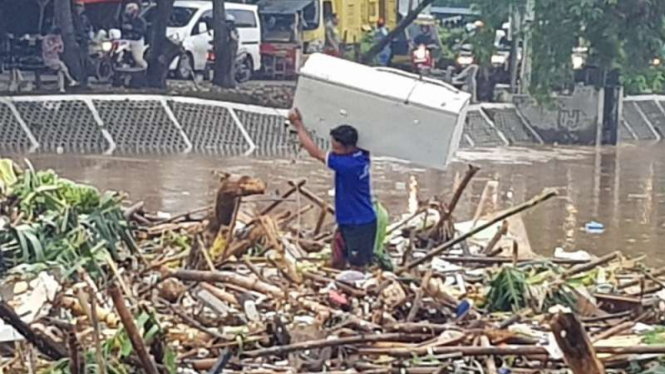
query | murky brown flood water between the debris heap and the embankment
[622, 187]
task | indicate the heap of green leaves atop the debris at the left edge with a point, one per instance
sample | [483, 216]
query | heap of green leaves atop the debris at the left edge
[59, 223]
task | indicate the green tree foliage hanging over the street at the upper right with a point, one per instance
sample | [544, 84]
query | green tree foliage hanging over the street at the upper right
[622, 37]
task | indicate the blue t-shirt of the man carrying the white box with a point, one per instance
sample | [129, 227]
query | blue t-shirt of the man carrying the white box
[353, 199]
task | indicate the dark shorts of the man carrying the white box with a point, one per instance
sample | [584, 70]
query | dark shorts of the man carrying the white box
[359, 243]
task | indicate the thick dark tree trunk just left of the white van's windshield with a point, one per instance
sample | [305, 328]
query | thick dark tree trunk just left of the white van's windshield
[161, 52]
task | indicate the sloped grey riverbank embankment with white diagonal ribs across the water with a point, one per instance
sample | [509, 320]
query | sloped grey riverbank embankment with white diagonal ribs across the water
[166, 124]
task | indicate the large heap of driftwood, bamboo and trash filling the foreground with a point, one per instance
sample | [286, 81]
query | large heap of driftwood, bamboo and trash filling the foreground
[95, 286]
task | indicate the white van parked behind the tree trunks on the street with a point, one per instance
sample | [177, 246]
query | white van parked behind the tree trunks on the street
[192, 22]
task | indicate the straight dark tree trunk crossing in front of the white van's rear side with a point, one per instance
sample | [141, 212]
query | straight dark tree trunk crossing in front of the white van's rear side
[222, 76]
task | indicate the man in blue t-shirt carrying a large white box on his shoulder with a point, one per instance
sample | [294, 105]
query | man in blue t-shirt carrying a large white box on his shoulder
[354, 211]
